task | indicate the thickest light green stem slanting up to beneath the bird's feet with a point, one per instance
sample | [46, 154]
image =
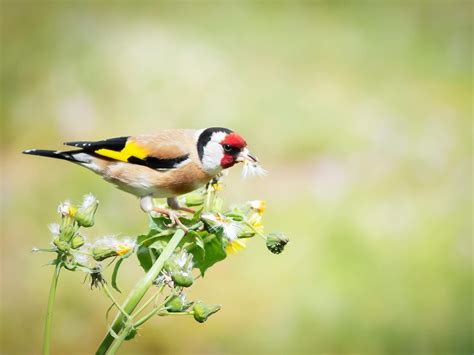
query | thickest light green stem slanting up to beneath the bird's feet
[138, 291]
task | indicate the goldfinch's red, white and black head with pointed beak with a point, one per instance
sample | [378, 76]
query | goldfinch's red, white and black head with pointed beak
[220, 148]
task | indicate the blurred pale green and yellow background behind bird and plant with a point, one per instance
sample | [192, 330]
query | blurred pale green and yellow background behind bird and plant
[361, 112]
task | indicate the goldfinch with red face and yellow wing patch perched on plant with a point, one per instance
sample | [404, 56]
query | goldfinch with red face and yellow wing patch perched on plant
[166, 164]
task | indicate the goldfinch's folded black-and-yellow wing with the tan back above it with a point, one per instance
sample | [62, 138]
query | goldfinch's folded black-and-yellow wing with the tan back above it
[155, 152]
